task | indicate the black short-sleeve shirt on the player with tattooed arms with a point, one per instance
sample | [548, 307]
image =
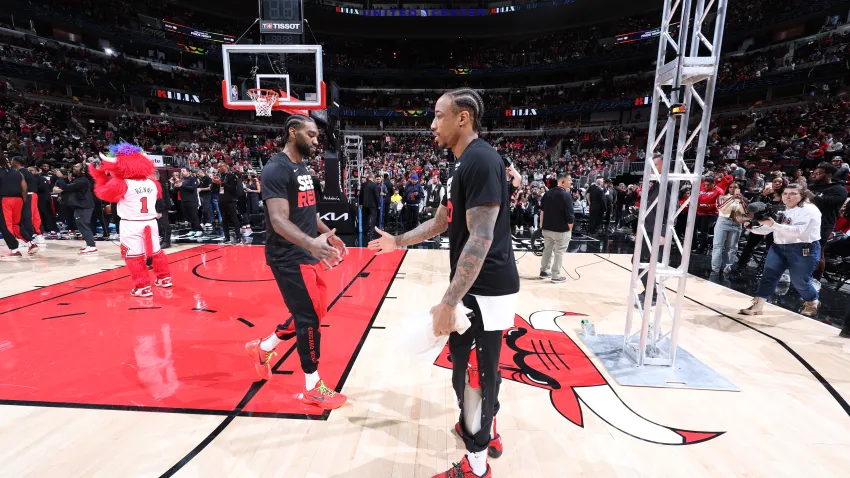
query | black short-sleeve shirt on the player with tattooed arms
[479, 179]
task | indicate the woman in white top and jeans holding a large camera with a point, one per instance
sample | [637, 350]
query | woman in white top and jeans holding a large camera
[796, 248]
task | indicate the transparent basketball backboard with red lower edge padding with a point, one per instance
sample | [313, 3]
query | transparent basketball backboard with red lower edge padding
[294, 71]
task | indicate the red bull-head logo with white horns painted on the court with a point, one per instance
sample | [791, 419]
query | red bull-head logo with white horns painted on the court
[542, 355]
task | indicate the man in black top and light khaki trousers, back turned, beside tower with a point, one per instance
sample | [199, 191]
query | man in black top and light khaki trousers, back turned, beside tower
[557, 217]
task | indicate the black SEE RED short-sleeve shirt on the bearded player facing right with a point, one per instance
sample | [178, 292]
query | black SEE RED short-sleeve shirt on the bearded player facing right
[284, 179]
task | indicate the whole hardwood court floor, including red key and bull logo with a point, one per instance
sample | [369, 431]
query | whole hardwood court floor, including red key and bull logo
[96, 383]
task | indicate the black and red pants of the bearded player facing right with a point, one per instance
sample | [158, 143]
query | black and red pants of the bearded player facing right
[304, 292]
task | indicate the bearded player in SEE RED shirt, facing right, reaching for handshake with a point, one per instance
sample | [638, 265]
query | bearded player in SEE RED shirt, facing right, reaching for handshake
[297, 242]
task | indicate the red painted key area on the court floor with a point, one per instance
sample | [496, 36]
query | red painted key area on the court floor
[87, 343]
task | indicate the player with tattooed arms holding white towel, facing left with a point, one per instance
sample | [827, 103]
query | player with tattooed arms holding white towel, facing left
[476, 212]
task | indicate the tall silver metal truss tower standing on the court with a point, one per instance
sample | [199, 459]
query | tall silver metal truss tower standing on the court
[694, 62]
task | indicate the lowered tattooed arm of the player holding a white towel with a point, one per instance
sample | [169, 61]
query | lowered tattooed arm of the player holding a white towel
[481, 221]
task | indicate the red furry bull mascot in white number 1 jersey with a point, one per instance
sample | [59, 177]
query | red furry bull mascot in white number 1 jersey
[124, 177]
